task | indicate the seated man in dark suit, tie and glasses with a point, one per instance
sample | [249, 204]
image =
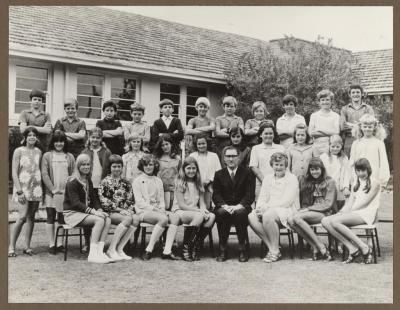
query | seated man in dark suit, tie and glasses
[233, 195]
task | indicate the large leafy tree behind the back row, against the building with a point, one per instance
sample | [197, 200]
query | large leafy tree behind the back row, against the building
[296, 67]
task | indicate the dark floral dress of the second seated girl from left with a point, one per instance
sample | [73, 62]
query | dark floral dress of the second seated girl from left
[116, 193]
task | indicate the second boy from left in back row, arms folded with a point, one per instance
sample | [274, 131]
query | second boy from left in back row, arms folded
[74, 128]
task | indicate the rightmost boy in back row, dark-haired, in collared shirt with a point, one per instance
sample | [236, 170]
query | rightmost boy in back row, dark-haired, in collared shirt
[351, 113]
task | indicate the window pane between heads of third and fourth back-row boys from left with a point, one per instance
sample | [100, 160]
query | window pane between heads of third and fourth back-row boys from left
[123, 92]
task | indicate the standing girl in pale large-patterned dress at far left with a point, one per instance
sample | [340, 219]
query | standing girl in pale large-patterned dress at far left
[27, 190]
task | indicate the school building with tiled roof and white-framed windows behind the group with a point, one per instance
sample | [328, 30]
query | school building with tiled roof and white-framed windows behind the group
[95, 54]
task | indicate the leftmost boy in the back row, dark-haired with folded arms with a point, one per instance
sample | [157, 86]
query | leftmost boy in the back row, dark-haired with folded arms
[37, 118]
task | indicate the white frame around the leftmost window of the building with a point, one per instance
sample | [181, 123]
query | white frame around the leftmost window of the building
[12, 79]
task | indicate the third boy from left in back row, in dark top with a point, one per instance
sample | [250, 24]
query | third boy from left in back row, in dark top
[112, 128]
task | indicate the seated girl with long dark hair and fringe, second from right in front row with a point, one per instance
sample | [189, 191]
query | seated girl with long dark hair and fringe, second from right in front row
[317, 199]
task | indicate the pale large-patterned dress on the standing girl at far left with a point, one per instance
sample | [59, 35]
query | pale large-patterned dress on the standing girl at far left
[29, 175]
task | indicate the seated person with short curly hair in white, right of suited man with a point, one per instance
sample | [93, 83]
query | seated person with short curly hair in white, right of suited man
[278, 200]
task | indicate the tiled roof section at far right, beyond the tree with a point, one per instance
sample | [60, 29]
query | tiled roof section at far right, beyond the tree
[375, 70]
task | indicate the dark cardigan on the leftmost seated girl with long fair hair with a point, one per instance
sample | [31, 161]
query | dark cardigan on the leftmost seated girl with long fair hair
[75, 197]
